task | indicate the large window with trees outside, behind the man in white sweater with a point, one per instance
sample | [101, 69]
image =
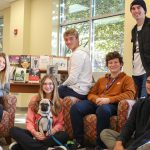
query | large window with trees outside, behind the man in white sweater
[100, 24]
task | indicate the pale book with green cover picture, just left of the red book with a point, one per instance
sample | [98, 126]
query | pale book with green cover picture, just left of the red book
[20, 74]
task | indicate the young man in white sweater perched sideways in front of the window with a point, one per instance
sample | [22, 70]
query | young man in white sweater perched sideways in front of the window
[79, 80]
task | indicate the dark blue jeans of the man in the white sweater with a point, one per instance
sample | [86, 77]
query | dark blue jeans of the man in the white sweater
[66, 91]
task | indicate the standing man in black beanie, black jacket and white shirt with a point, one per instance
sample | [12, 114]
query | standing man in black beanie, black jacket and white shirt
[141, 45]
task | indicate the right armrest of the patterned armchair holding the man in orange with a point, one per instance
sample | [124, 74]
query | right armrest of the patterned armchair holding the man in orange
[124, 109]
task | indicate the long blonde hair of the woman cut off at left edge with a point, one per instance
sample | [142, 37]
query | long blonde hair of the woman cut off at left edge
[4, 74]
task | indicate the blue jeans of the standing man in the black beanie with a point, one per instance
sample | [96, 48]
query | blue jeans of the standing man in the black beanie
[140, 82]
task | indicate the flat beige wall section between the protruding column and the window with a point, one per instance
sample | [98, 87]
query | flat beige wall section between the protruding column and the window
[41, 23]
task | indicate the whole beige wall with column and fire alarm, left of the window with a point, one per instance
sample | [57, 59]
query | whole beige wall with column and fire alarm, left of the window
[32, 19]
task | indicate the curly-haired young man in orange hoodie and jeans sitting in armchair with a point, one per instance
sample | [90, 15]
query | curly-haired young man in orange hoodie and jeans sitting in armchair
[103, 99]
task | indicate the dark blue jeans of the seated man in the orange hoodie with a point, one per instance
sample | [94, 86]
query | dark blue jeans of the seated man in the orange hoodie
[103, 113]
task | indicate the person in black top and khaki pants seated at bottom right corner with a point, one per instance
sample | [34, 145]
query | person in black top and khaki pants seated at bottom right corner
[137, 123]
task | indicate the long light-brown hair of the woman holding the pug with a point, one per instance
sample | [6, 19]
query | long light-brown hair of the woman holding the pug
[56, 107]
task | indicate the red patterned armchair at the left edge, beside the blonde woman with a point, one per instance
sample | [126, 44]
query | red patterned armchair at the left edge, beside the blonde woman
[8, 117]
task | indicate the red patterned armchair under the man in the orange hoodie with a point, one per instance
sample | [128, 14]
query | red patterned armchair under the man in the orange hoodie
[117, 122]
